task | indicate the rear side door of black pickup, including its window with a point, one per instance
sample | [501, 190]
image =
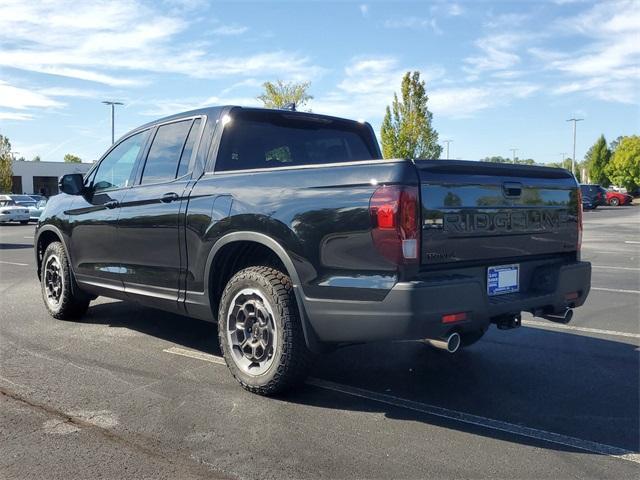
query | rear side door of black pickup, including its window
[151, 224]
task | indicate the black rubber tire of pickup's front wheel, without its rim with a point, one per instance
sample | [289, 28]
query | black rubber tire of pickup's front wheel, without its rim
[73, 303]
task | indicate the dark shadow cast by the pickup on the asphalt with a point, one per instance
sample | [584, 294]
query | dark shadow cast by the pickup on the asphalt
[566, 383]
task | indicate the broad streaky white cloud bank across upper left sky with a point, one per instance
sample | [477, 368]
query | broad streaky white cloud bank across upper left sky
[118, 43]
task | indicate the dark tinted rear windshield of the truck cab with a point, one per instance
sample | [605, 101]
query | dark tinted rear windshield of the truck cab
[277, 139]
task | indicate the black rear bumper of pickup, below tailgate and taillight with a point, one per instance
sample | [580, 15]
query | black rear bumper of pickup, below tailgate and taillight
[414, 310]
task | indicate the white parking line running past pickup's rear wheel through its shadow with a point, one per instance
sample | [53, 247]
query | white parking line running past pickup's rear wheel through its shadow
[484, 422]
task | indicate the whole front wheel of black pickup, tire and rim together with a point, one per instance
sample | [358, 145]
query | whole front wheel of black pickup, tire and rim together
[62, 297]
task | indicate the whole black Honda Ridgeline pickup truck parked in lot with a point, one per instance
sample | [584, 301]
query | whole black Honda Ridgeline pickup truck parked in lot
[291, 232]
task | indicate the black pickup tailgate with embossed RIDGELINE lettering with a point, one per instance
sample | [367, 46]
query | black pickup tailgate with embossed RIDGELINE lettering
[486, 212]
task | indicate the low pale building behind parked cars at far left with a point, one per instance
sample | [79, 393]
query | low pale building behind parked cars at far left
[42, 177]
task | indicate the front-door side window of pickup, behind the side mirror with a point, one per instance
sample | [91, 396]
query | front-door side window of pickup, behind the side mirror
[115, 169]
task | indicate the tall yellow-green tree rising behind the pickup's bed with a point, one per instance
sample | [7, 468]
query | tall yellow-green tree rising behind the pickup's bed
[406, 130]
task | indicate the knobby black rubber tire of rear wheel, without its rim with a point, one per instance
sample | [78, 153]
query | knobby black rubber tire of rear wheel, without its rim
[291, 358]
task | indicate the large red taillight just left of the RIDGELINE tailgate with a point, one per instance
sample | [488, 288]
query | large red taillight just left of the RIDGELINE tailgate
[395, 218]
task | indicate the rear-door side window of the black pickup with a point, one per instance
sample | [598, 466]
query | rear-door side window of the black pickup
[165, 152]
